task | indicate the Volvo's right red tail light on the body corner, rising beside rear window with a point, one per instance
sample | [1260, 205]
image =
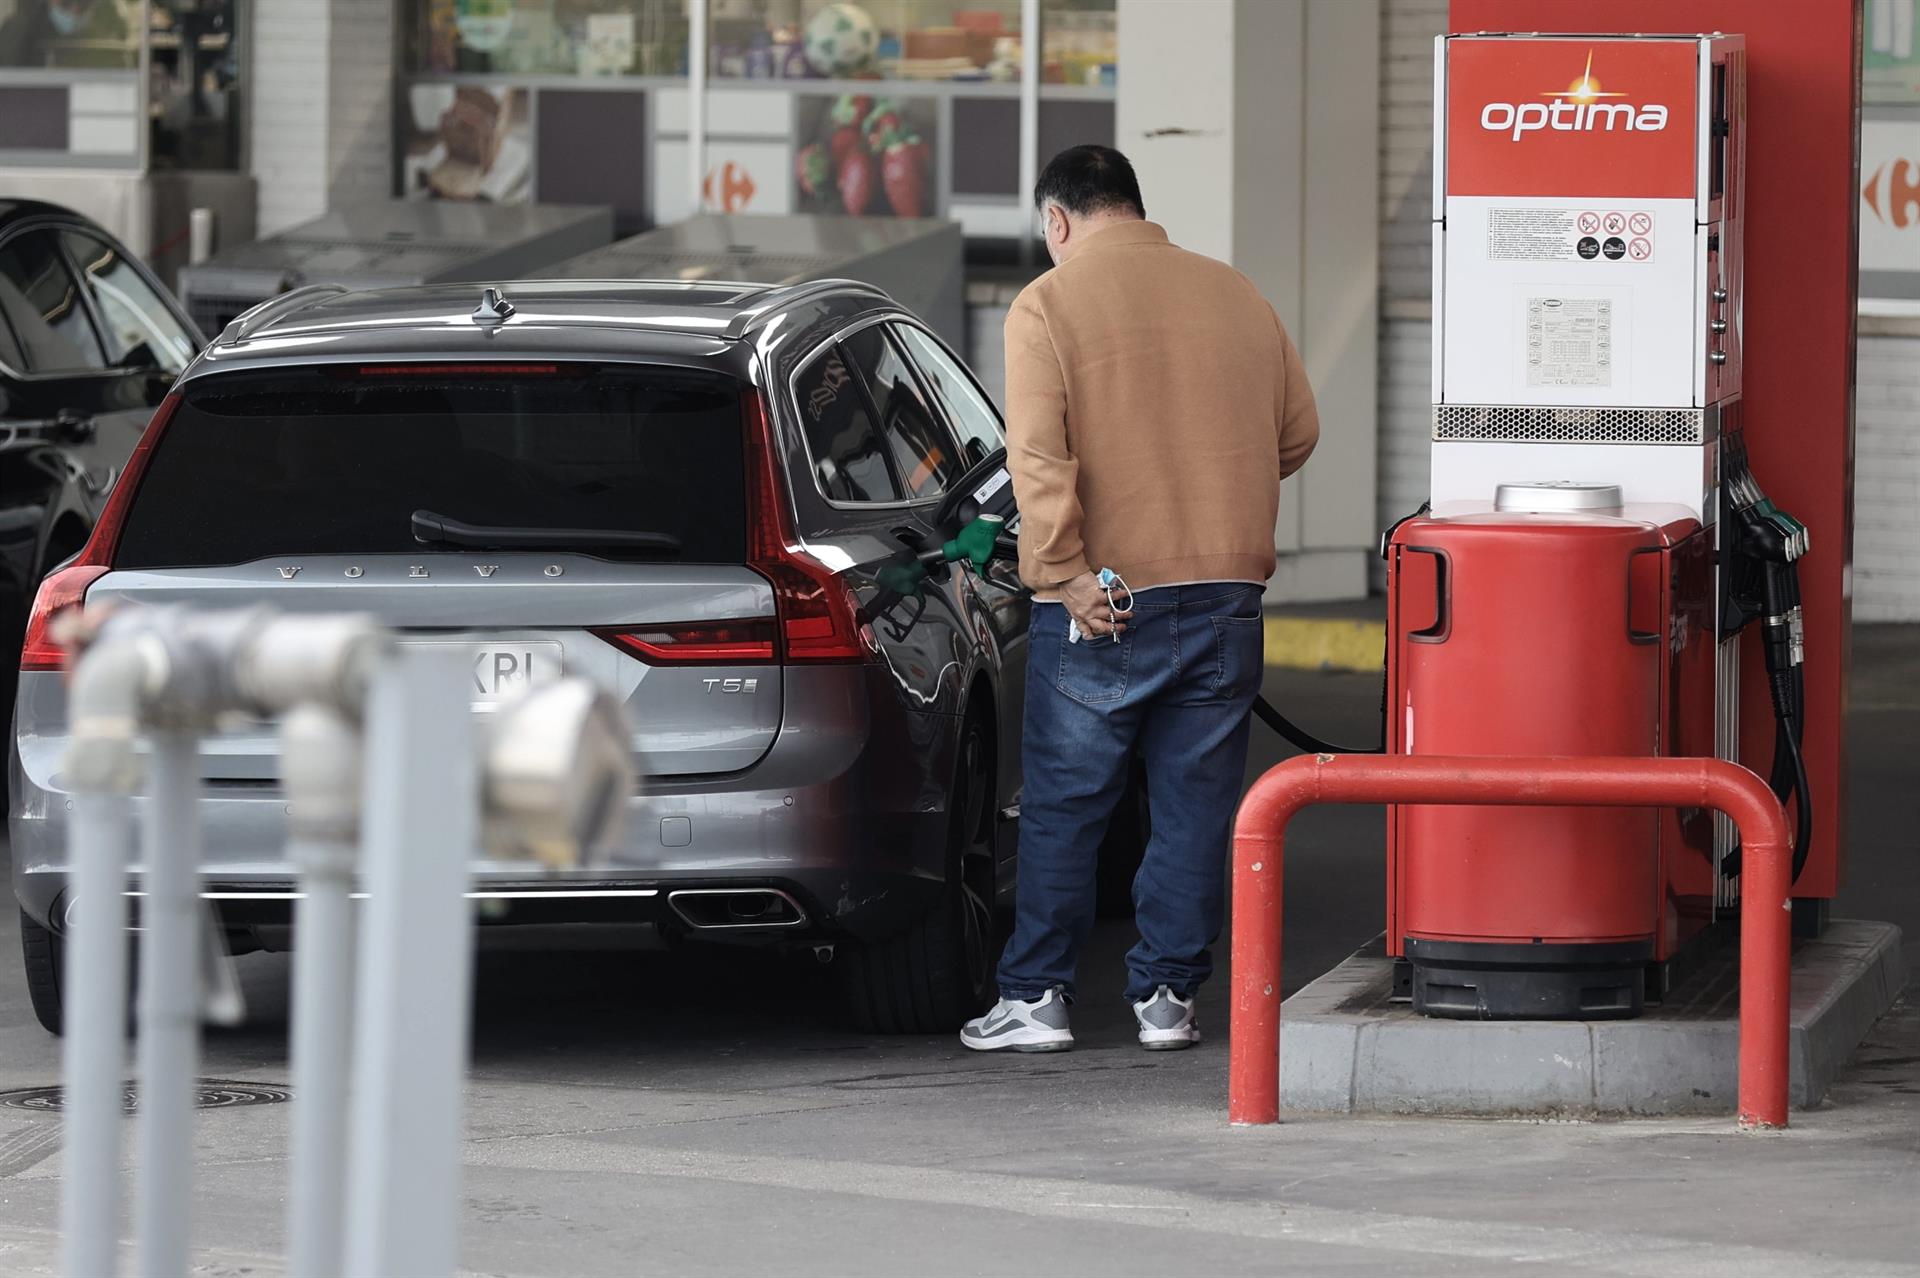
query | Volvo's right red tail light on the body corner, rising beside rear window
[817, 611]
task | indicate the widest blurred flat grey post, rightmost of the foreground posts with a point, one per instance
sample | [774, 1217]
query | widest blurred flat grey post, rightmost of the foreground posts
[412, 1020]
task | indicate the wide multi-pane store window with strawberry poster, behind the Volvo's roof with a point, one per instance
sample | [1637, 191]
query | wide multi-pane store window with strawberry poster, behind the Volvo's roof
[871, 108]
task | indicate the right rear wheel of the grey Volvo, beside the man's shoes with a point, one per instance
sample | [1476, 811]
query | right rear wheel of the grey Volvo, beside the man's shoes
[940, 972]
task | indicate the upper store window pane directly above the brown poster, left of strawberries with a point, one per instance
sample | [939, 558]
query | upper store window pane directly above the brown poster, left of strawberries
[546, 37]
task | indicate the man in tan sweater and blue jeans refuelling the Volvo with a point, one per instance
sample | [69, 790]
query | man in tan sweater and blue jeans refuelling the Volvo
[1155, 404]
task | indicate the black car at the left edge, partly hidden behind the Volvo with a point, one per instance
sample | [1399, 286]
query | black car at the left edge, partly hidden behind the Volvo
[89, 346]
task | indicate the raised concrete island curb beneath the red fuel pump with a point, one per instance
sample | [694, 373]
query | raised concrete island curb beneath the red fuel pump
[1349, 1051]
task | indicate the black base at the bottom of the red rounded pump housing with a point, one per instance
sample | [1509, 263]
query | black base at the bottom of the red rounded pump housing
[1493, 982]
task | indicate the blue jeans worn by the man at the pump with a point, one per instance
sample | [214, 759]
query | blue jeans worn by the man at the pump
[1178, 686]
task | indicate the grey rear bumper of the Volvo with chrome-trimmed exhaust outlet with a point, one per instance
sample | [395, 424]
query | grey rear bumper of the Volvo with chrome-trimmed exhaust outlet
[846, 815]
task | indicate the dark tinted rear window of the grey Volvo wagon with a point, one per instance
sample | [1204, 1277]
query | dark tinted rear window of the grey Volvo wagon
[339, 461]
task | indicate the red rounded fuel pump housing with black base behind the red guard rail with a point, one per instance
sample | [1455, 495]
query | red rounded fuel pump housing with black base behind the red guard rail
[1562, 632]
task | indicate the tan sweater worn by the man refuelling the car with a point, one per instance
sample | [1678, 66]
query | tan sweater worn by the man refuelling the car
[1153, 408]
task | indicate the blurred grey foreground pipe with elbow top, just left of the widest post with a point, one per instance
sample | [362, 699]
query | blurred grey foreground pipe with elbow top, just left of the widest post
[322, 765]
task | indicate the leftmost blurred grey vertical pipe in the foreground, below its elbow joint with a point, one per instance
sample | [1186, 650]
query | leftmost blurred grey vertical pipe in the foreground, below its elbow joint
[95, 1012]
